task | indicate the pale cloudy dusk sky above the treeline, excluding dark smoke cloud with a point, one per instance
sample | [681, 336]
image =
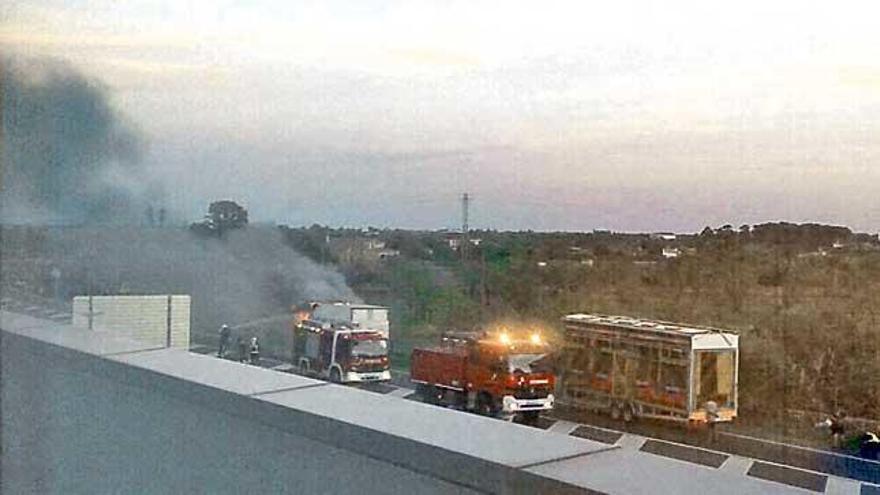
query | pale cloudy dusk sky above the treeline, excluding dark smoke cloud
[629, 116]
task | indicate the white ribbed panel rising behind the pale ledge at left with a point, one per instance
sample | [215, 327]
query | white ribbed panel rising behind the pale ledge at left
[141, 318]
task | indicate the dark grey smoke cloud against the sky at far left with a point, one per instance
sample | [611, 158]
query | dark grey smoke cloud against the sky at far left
[67, 157]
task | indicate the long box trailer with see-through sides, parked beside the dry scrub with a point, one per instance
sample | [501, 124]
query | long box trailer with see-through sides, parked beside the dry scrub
[634, 368]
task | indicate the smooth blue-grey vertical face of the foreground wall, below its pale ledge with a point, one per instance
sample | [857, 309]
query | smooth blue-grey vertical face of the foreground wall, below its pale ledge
[70, 428]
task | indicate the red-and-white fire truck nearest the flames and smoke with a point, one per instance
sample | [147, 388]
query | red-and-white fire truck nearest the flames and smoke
[342, 349]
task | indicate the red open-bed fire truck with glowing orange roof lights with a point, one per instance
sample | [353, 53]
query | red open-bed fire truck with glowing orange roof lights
[489, 374]
